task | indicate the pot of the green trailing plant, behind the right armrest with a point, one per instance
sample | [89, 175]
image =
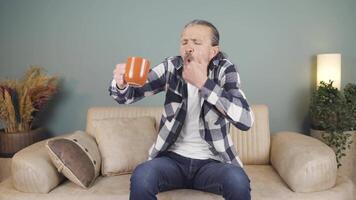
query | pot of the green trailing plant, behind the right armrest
[348, 162]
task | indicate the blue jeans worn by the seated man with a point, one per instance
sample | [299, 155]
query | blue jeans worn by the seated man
[171, 171]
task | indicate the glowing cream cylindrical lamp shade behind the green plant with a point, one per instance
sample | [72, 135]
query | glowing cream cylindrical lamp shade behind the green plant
[329, 69]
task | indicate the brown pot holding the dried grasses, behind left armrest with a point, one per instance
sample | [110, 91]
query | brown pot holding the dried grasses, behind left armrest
[10, 143]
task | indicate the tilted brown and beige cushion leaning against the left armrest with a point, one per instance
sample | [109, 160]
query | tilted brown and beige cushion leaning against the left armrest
[77, 157]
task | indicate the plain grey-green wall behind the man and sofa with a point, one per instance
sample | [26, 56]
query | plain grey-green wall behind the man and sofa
[274, 44]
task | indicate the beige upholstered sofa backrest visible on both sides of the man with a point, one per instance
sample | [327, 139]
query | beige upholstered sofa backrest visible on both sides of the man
[253, 145]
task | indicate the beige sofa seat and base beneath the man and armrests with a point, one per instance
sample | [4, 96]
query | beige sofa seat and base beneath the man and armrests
[266, 184]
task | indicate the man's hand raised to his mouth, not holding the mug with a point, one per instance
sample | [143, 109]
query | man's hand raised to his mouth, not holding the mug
[195, 72]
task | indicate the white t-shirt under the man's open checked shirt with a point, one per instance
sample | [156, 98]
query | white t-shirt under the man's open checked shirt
[189, 142]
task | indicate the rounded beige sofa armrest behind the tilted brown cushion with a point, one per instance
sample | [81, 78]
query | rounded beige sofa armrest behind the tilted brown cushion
[32, 169]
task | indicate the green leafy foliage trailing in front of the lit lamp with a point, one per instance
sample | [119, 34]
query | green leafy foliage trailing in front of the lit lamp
[331, 119]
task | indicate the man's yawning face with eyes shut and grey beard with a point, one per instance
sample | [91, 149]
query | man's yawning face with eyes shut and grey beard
[196, 45]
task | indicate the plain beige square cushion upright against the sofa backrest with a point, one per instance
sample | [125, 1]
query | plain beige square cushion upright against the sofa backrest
[123, 142]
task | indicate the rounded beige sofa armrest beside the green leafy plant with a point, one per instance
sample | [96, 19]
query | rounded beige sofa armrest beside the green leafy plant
[303, 162]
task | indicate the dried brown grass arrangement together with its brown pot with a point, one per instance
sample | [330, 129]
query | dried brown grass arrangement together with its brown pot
[20, 103]
